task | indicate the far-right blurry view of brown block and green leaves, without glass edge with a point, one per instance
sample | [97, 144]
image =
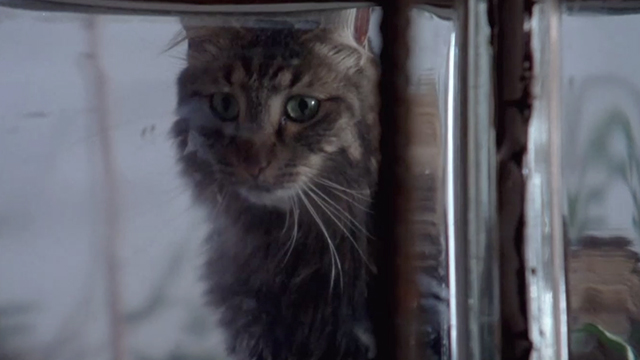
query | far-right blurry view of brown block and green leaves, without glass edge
[601, 175]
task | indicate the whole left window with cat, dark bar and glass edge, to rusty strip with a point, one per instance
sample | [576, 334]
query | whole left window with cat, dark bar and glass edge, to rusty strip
[102, 237]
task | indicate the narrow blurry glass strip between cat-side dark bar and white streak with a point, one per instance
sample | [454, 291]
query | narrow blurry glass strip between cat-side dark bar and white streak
[429, 74]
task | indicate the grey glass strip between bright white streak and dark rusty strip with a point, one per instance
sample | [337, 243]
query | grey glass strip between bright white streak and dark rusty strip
[484, 294]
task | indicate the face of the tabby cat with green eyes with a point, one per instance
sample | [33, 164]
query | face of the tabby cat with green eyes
[265, 111]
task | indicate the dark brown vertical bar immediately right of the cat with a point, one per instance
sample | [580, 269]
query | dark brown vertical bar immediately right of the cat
[394, 291]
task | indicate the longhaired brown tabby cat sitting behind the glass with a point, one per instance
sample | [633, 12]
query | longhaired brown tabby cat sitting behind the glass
[278, 137]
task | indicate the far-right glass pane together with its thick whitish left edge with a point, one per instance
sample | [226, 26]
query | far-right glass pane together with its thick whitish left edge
[585, 138]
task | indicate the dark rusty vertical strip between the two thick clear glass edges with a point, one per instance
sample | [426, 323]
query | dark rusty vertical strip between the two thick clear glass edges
[513, 69]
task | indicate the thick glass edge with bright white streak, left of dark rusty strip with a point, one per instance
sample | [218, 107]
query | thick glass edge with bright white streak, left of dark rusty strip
[470, 190]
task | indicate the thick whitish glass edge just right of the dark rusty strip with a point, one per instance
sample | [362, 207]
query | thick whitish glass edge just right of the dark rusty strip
[544, 240]
